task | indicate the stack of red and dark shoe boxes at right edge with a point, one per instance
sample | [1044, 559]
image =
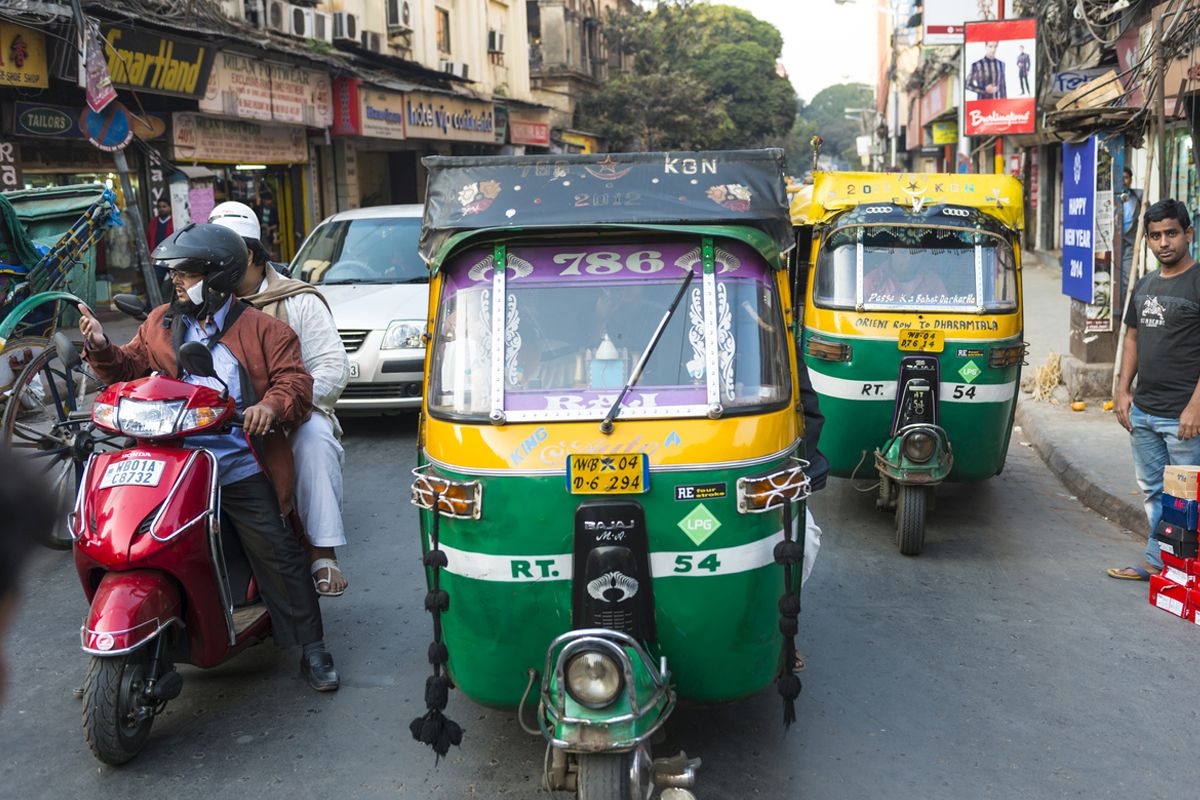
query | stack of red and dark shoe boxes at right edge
[1177, 590]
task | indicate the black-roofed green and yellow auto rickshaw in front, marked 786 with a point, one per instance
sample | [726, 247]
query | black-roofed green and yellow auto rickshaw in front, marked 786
[611, 472]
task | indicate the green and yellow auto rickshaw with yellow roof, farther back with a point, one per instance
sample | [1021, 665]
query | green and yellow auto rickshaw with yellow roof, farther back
[913, 329]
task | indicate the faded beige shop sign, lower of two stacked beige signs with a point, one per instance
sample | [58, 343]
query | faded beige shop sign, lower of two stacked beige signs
[233, 142]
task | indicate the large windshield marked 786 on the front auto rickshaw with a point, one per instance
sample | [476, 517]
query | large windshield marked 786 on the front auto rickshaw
[578, 320]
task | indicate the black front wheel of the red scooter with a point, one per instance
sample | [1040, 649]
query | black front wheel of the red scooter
[116, 719]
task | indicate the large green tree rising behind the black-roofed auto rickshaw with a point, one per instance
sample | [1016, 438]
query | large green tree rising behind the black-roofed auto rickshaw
[703, 77]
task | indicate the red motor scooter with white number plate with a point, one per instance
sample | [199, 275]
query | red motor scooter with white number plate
[167, 582]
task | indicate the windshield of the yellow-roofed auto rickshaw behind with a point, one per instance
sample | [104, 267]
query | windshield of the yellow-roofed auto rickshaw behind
[914, 268]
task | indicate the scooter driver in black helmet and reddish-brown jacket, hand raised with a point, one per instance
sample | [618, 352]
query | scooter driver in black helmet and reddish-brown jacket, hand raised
[259, 359]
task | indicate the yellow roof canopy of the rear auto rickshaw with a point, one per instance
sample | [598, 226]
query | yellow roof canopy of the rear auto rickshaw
[998, 196]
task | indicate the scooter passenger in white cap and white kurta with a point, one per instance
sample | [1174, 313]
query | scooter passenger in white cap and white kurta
[316, 444]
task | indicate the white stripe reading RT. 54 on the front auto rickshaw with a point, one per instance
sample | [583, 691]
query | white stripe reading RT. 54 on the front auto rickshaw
[682, 564]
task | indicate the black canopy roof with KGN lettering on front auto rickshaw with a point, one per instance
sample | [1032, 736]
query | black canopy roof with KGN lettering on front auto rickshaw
[734, 188]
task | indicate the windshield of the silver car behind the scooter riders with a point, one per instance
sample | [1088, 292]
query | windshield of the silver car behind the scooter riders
[363, 251]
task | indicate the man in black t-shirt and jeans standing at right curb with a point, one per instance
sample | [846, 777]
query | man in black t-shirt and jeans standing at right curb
[1162, 348]
